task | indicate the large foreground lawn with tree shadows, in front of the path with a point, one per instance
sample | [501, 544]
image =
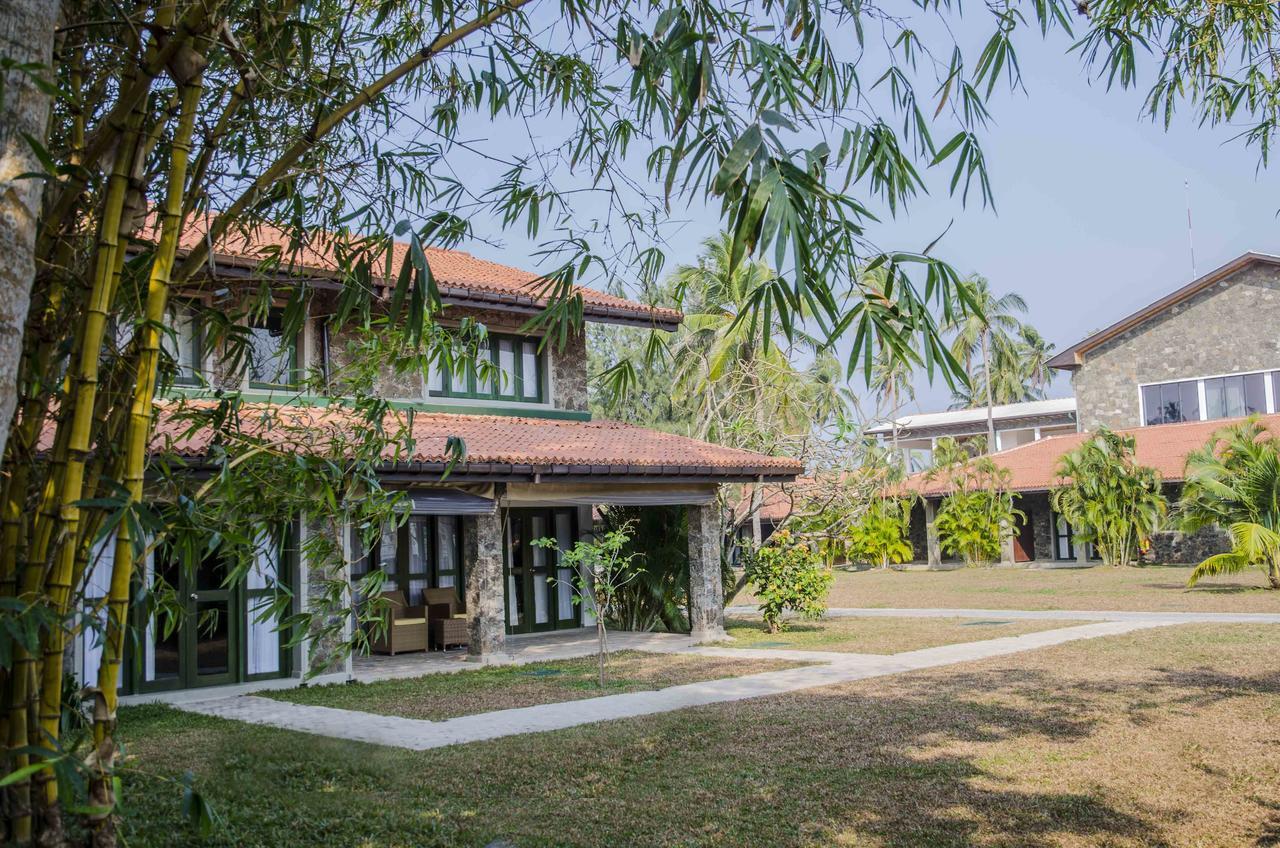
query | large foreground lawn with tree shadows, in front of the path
[1163, 737]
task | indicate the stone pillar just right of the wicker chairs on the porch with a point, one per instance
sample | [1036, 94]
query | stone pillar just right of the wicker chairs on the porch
[487, 608]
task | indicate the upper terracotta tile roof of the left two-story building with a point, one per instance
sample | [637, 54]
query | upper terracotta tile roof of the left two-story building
[461, 277]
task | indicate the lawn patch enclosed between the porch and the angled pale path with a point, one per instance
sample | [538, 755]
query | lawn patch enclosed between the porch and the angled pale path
[461, 694]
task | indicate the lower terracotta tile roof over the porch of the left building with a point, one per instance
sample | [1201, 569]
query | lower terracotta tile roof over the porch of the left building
[495, 444]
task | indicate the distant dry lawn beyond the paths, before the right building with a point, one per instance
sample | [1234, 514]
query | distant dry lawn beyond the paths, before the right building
[1155, 587]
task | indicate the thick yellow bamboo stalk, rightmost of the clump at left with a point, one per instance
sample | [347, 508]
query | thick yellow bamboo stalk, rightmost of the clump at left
[138, 435]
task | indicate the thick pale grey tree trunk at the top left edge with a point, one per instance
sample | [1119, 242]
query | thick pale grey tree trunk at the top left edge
[28, 38]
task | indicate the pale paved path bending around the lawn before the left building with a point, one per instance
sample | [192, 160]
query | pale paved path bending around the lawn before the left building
[839, 668]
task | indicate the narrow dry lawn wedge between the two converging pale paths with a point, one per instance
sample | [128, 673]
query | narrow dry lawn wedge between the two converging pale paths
[880, 636]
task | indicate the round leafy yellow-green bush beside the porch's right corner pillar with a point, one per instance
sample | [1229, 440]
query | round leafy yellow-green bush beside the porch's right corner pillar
[788, 575]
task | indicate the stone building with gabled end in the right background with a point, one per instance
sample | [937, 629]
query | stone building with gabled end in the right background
[1169, 375]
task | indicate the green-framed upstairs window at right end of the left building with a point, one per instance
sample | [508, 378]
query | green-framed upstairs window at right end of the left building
[516, 372]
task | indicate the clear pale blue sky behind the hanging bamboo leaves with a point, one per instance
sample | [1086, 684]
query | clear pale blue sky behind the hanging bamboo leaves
[1091, 206]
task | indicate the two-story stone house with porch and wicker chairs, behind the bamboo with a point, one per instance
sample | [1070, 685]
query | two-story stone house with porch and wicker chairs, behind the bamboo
[536, 467]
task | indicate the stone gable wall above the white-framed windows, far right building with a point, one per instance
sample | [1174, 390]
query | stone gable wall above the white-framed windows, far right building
[1227, 329]
